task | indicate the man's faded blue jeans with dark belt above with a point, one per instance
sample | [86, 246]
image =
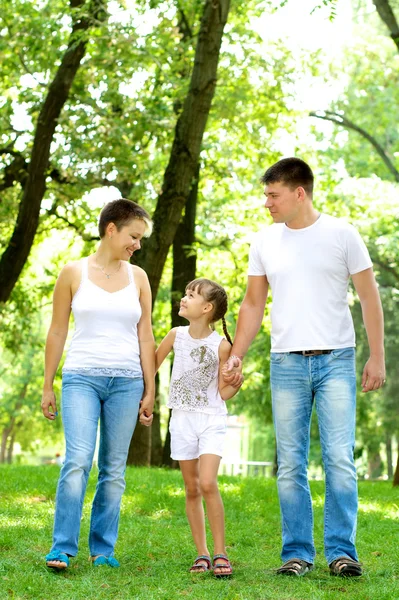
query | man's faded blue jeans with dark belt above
[296, 381]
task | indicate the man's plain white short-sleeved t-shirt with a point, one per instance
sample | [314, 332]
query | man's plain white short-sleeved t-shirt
[308, 272]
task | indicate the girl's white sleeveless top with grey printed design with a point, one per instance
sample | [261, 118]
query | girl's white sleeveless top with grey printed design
[194, 383]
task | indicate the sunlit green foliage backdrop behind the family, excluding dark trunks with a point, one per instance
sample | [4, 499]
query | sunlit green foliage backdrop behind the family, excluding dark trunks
[114, 136]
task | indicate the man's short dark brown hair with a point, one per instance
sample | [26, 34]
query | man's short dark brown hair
[292, 172]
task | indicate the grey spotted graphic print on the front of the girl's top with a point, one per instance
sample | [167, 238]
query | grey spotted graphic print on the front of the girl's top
[191, 389]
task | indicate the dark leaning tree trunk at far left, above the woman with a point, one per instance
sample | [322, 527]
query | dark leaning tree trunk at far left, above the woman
[18, 249]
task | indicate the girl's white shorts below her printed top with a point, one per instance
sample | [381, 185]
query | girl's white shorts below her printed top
[193, 434]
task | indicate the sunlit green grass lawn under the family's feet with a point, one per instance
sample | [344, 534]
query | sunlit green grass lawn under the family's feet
[155, 548]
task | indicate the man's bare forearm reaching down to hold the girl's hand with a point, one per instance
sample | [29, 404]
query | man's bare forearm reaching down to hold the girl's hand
[250, 318]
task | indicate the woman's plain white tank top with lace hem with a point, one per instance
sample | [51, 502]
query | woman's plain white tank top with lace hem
[105, 339]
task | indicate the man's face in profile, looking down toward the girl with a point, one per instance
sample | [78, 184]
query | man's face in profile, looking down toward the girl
[284, 203]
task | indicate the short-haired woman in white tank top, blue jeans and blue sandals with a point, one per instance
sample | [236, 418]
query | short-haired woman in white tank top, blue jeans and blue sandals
[108, 377]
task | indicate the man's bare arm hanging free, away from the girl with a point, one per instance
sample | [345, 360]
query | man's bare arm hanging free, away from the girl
[373, 319]
